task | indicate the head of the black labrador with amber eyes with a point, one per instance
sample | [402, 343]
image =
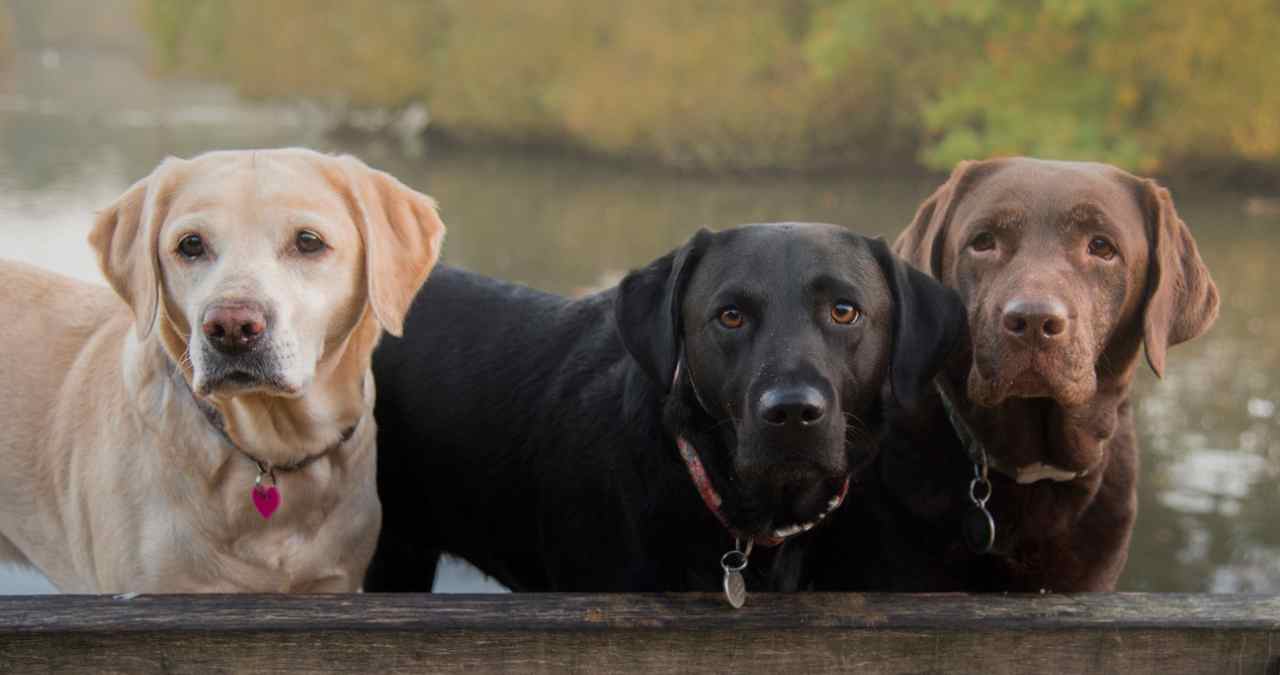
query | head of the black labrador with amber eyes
[790, 339]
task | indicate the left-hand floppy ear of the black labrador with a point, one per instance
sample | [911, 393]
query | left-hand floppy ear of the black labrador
[647, 311]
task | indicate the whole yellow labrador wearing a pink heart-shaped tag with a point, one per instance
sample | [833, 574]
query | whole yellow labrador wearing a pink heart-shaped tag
[221, 436]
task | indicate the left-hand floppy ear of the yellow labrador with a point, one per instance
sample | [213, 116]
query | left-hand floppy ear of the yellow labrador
[126, 236]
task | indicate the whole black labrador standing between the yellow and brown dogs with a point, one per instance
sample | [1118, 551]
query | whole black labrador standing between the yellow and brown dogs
[628, 440]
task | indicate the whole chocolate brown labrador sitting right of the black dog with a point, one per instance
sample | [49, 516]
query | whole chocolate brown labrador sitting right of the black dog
[1067, 270]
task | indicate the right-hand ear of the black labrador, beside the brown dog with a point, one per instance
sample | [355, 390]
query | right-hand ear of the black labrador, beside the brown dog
[929, 323]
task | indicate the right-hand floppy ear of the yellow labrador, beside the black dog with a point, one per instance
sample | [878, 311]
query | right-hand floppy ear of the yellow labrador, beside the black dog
[403, 235]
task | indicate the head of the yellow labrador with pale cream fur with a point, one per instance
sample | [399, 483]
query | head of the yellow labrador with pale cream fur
[255, 267]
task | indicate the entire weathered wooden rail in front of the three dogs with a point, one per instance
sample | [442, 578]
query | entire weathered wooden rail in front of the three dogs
[676, 633]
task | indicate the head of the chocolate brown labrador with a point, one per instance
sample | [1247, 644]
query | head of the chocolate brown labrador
[1066, 270]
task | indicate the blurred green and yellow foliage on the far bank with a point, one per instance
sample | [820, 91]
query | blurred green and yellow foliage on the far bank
[774, 84]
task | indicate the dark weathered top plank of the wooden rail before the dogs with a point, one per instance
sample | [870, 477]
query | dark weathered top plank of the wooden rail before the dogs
[675, 612]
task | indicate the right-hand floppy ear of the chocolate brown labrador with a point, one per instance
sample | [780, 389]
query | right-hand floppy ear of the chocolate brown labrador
[1182, 299]
